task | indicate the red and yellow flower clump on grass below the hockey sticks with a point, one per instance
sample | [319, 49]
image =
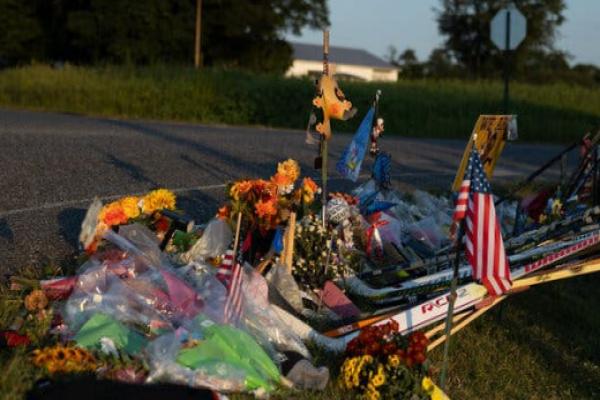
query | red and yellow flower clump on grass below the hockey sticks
[381, 363]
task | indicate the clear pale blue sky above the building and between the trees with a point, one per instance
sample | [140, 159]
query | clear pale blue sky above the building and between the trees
[374, 25]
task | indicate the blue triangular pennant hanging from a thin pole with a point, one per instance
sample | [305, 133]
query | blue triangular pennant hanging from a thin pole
[349, 164]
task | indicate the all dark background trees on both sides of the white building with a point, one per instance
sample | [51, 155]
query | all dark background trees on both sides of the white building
[249, 35]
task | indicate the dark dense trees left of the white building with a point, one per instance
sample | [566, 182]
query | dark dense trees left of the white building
[238, 34]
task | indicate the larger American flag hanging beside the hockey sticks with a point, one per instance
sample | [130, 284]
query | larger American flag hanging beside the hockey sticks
[483, 240]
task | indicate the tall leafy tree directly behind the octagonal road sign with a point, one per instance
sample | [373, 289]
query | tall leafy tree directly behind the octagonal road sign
[465, 24]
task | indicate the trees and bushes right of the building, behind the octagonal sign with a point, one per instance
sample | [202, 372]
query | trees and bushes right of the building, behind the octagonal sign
[468, 52]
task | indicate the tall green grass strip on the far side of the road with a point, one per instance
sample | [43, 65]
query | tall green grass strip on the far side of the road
[444, 109]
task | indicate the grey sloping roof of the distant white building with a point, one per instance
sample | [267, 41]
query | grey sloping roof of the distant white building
[338, 55]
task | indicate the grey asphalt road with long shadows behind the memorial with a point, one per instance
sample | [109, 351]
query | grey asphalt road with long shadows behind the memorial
[52, 165]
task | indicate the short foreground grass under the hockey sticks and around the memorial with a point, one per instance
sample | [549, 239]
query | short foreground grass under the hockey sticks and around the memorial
[541, 344]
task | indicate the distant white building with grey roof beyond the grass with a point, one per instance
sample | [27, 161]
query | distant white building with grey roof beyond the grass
[344, 62]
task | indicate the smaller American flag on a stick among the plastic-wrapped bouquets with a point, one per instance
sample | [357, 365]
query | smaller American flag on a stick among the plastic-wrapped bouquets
[230, 274]
